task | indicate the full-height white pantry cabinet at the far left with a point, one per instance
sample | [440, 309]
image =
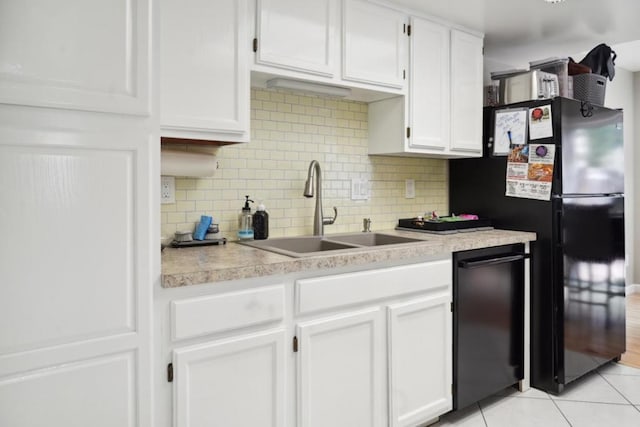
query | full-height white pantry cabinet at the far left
[78, 138]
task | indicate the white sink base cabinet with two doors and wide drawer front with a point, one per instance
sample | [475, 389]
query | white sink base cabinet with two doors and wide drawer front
[385, 359]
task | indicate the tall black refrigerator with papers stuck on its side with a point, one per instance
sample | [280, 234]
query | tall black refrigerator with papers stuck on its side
[578, 260]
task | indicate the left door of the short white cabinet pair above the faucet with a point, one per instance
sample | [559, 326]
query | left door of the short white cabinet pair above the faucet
[298, 34]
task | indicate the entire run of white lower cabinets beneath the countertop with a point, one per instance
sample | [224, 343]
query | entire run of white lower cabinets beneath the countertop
[359, 348]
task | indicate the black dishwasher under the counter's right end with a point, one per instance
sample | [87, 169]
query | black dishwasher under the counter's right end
[488, 322]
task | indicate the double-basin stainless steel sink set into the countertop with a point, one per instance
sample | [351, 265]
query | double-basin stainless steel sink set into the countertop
[318, 245]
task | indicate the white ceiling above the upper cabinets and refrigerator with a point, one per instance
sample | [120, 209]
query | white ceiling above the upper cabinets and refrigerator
[519, 31]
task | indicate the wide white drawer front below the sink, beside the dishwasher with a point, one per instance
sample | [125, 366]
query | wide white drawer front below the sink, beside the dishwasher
[340, 290]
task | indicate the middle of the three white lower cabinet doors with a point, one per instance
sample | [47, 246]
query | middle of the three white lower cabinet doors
[341, 371]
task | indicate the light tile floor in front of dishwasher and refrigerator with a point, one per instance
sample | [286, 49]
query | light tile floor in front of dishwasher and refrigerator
[608, 397]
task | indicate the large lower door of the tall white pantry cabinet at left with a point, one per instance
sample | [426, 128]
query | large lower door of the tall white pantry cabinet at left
[75, 335]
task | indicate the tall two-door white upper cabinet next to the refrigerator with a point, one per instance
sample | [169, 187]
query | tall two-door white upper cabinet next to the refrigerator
[442, 114]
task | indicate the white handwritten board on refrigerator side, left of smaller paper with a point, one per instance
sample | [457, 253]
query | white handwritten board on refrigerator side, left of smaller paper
[510, 130]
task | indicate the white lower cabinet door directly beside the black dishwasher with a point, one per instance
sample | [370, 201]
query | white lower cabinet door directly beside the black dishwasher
[420, 359]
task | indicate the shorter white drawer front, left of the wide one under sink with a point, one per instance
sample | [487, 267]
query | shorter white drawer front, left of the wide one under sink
[218, 313]
